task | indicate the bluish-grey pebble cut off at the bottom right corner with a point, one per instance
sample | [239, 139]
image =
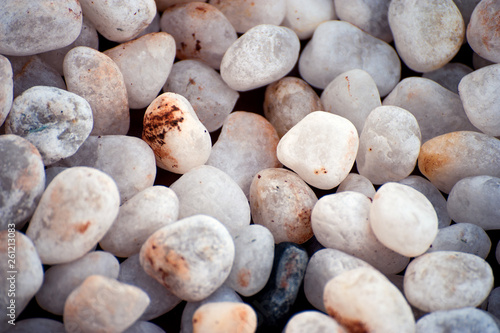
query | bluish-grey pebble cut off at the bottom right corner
[468, 319]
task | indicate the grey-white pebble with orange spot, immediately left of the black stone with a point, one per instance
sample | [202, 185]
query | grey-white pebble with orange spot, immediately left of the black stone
[253, 260]
